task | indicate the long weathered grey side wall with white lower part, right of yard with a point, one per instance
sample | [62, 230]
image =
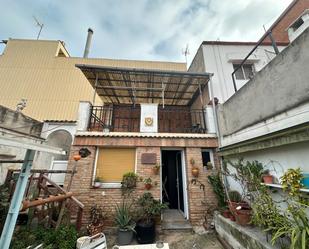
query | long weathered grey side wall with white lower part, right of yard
[267, 119]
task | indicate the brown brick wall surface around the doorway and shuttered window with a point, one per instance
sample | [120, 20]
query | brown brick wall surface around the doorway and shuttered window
[107, 197]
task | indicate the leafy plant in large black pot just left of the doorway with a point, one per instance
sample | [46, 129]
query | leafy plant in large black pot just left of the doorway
[149, 208]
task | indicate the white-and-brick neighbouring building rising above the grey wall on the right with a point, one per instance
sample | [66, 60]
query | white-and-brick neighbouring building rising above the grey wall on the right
[223, 57]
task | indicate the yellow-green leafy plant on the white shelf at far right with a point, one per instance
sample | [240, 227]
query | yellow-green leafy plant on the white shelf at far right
[291, 181]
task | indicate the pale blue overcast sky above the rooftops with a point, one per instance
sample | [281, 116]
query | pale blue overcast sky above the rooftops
[139, 29]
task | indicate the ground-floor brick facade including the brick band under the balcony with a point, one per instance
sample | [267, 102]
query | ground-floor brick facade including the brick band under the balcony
[106, 197]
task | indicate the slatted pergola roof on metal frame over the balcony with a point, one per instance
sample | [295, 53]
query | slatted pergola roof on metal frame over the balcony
[133, 86]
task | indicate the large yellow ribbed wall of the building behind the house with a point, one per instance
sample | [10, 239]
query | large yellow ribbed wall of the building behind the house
[52, 85]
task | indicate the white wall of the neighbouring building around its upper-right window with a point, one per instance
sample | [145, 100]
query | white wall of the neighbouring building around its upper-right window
[219, 59]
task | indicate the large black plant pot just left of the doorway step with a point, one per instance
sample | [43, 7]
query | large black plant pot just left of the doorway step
[145, 232]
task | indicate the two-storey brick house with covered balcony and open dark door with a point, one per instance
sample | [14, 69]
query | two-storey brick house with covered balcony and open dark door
[149, 117]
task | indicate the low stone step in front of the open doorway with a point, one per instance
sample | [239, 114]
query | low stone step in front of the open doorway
[174, 220]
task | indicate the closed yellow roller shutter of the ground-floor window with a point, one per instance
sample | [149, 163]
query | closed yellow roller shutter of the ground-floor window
[114, 162]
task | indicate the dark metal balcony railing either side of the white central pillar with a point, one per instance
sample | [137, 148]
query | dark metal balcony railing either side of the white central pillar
[171, 119]
